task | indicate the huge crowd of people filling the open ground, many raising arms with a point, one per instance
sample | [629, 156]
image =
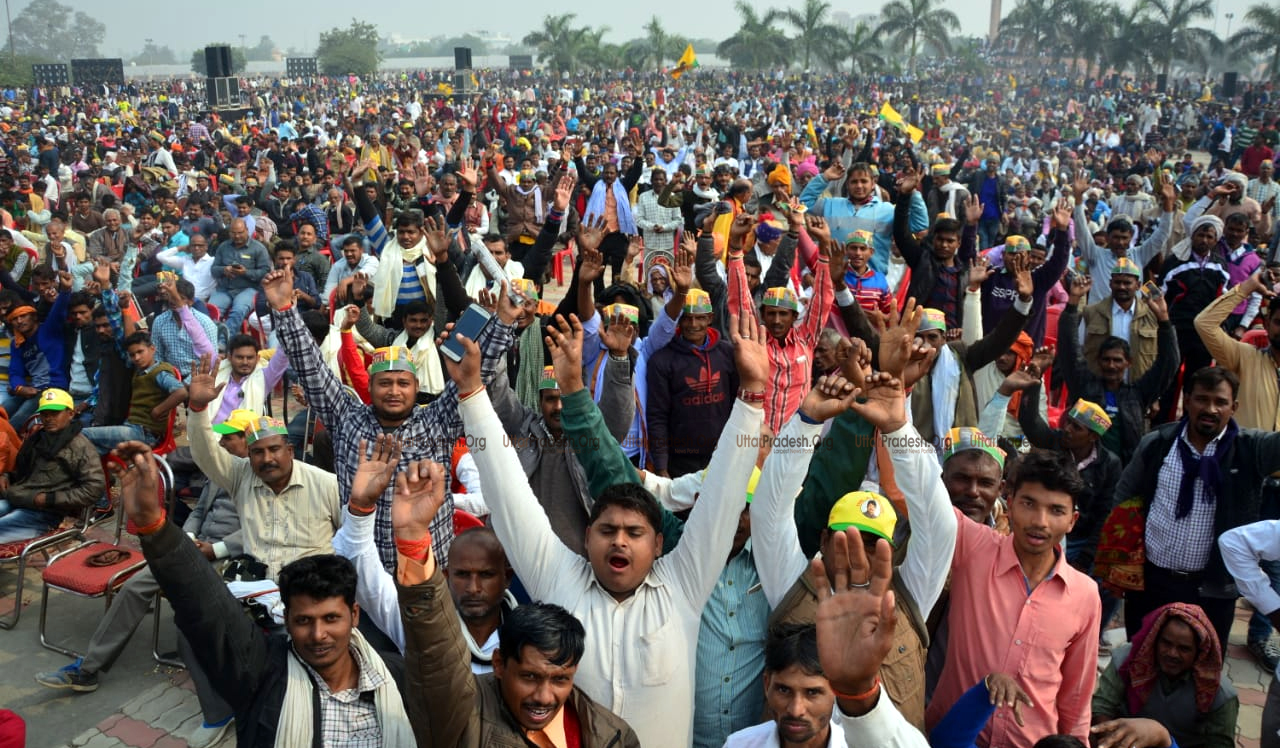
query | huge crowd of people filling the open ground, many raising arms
[863, 408]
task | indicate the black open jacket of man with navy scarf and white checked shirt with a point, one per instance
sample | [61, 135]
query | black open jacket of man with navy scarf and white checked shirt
[1251, 458]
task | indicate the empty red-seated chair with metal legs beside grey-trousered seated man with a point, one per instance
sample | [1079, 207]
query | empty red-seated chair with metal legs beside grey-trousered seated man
[70, 572]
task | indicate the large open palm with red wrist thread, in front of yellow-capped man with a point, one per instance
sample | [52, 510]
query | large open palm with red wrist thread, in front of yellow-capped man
[856, 617]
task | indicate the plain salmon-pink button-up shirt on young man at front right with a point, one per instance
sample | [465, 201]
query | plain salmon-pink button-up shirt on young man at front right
[1048, 641]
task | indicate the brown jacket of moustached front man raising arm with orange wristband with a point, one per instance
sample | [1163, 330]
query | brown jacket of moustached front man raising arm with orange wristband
[455, 709]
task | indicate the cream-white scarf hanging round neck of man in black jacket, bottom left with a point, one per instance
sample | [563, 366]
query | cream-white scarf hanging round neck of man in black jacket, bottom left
[298, 718]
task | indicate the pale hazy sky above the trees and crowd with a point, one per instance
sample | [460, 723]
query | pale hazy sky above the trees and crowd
[300, 24]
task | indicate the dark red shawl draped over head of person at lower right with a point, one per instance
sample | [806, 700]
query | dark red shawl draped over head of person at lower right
[1141, 672]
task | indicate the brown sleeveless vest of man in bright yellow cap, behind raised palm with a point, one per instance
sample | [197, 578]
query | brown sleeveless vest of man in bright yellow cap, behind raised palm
[903, 671]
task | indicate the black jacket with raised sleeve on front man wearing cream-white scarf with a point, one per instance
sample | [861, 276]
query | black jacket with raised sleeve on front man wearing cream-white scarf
[248, 668]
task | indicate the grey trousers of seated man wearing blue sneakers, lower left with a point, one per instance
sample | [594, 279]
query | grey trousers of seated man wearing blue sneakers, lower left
[122, 619]
